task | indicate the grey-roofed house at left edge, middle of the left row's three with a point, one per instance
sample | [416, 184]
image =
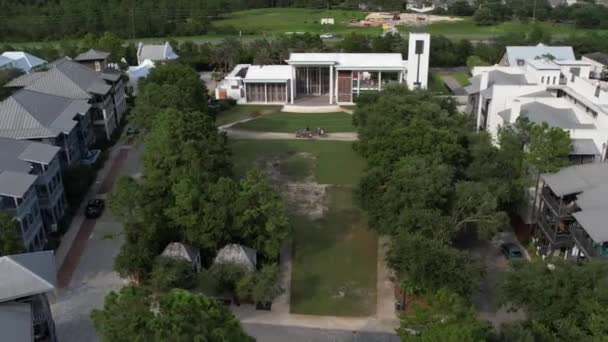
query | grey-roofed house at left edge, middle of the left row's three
[55, 120]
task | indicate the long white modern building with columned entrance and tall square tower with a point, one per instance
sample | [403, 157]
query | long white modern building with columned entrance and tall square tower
[333, 78]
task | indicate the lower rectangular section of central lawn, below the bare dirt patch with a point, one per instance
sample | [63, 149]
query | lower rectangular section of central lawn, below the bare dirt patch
[334, 264]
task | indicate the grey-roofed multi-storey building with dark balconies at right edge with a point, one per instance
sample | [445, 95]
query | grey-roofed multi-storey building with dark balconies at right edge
[571, 213]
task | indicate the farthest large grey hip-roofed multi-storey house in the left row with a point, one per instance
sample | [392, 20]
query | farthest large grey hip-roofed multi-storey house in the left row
[104, 90]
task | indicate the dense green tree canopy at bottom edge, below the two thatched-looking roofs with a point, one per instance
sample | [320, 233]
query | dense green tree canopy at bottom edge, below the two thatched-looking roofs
[181, 316]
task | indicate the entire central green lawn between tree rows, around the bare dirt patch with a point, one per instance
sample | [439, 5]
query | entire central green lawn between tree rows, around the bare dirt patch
[335, 256]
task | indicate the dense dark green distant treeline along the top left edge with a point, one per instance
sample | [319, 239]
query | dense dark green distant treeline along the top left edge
[34, 20]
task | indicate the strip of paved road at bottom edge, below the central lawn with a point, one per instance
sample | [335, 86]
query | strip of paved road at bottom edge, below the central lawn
[276, 333]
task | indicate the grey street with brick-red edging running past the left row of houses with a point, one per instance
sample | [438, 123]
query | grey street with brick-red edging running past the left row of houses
[92, 276]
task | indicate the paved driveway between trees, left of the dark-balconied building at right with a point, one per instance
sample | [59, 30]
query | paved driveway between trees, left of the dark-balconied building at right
[485, 299]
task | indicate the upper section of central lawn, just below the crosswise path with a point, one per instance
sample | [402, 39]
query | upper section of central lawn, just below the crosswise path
[336, 161]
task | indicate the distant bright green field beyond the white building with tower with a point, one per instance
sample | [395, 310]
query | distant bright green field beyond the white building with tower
[279, 21]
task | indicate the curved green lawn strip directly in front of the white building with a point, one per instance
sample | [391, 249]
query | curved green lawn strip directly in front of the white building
[290, 122]
